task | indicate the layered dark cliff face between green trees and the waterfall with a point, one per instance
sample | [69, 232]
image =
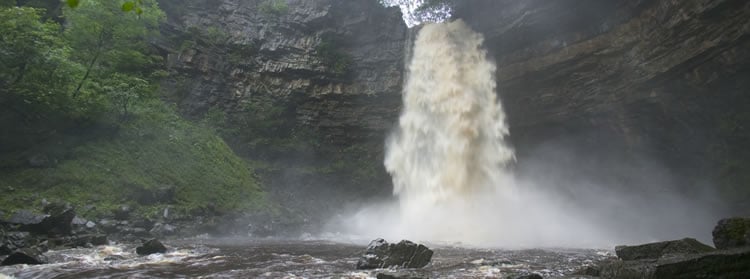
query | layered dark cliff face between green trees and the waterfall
[305, 89]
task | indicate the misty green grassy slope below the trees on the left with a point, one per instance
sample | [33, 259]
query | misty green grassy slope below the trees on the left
[156, 149]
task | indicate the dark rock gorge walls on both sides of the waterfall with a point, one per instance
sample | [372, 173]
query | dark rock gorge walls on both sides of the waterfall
[308, 90]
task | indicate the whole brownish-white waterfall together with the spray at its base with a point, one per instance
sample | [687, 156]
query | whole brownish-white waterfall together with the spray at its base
[448, 158]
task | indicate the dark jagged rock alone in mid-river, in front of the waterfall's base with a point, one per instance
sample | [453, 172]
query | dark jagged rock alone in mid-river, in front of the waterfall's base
[406, 254]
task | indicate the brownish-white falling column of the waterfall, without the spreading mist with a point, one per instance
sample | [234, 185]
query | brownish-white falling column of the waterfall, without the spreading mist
[450, 140]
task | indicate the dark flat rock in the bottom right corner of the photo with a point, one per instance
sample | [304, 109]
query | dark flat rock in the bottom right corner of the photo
[721, 264]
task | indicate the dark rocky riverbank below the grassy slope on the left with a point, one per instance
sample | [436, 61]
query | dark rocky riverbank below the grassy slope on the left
[26, 235]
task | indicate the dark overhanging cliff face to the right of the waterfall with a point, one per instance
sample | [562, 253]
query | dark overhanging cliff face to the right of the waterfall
[662, 78]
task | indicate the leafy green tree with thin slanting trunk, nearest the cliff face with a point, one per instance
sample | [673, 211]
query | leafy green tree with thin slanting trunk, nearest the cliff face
[108, 40]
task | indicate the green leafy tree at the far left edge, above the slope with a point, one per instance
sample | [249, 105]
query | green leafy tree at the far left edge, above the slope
[37, 74]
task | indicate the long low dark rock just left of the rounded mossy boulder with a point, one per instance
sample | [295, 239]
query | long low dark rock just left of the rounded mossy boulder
[659, 249]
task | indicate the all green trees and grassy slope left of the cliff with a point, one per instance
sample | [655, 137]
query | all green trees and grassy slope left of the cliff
[85, 97]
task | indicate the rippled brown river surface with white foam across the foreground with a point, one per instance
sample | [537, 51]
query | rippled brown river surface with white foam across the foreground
[250, 258]
